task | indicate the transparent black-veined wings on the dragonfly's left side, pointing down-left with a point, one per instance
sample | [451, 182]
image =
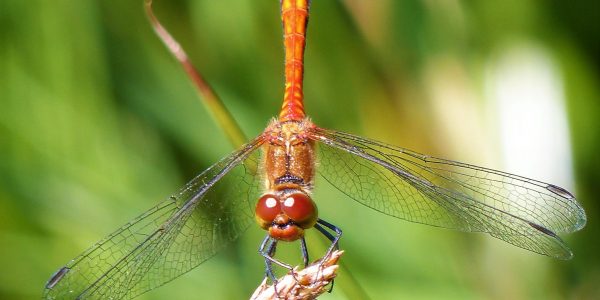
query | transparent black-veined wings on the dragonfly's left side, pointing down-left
[168, 240]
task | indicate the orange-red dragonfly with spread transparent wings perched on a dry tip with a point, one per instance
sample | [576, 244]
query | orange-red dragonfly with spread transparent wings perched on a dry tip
[270, 181]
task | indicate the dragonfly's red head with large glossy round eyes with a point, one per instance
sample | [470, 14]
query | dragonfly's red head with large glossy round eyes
[286, 216]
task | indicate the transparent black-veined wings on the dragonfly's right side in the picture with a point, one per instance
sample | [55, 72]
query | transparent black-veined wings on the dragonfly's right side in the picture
[424, 189]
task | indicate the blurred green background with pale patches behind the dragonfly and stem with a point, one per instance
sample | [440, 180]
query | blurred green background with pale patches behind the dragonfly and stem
[98, 123]
